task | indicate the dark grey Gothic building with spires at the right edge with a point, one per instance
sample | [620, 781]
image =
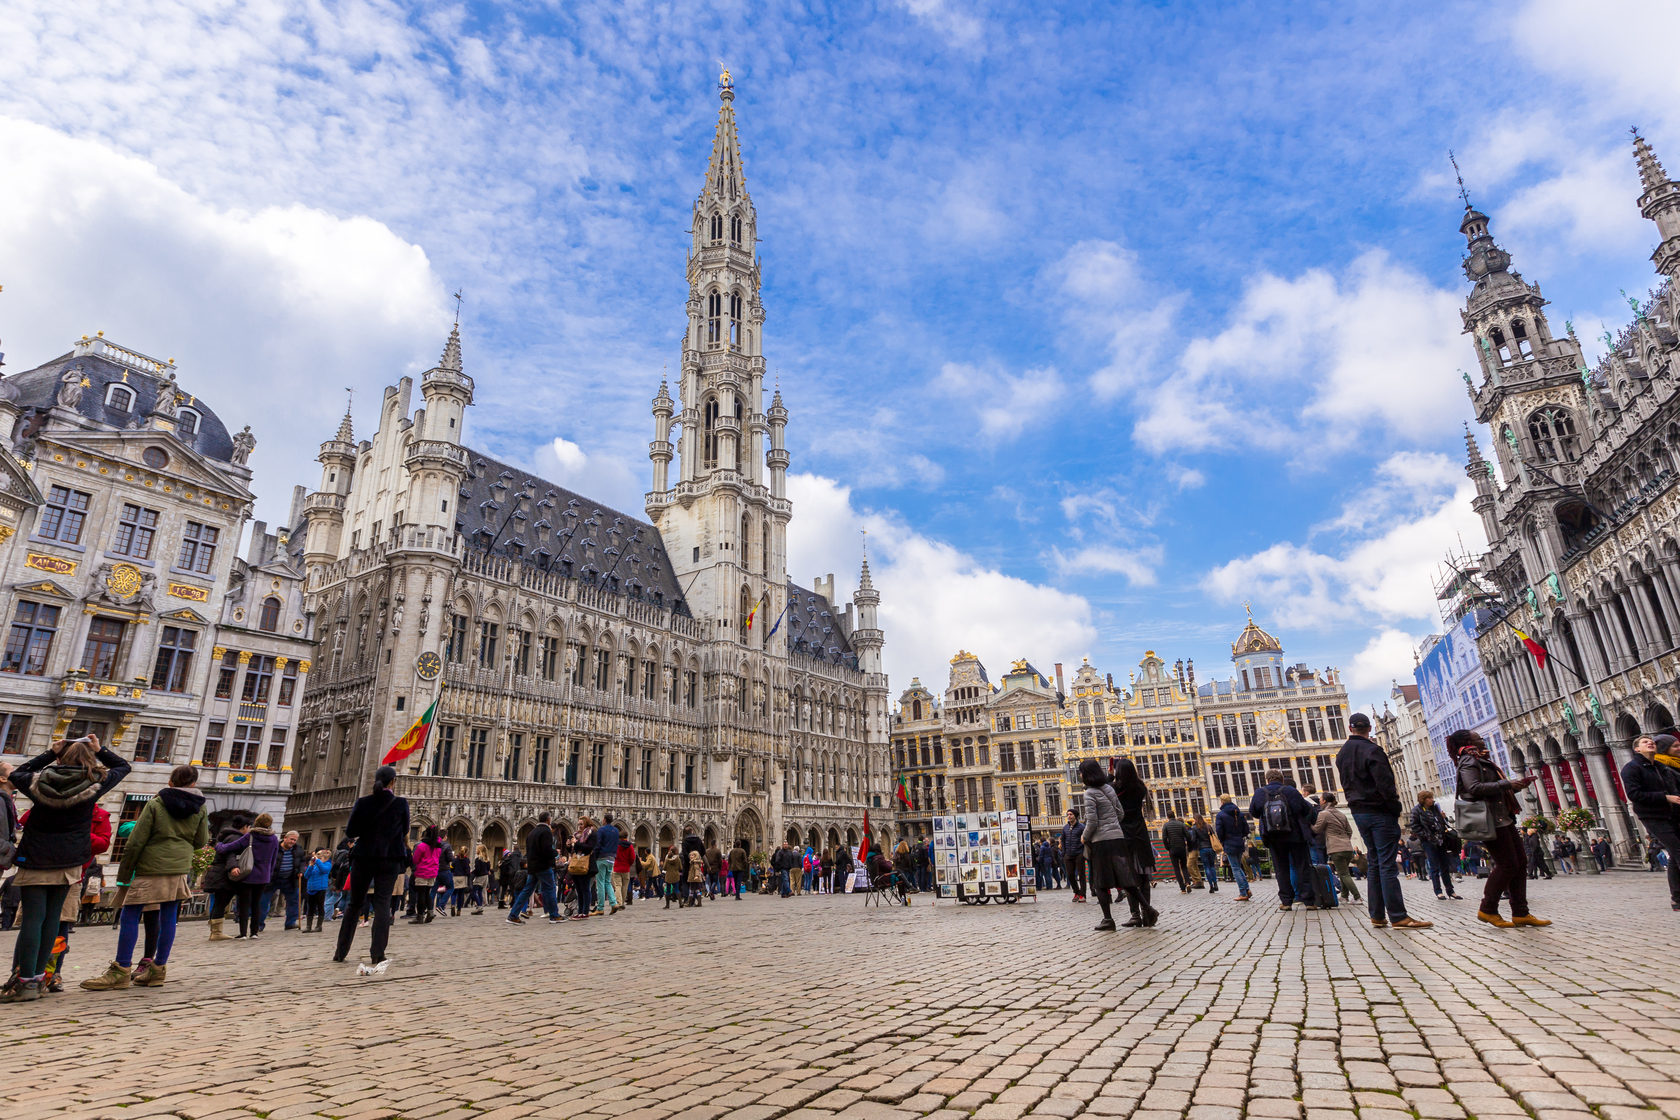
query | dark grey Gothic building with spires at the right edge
[1583, 520]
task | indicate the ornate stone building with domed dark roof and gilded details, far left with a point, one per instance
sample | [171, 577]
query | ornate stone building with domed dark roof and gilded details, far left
[123, 500]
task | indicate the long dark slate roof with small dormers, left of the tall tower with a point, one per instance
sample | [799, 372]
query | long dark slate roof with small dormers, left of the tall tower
[513, 513]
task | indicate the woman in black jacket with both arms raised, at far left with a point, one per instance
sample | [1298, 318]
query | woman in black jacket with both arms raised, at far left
[65, 787]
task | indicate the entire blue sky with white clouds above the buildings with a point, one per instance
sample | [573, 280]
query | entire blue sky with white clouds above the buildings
[1103, 320]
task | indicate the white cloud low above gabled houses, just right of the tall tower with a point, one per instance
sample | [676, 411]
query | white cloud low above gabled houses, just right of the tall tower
[935, 599]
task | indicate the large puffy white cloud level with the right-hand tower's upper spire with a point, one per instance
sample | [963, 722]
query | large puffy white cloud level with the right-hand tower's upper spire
[1313, 362]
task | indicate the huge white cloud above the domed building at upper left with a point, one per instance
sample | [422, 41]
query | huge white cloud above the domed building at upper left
[268, 313]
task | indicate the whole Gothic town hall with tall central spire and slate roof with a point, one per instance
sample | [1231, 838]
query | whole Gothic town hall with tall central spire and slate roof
[585, 661]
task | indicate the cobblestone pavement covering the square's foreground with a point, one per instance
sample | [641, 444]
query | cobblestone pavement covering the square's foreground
[817, 1007]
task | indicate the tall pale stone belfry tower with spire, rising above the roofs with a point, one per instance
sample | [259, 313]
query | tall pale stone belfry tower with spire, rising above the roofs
[723, 521]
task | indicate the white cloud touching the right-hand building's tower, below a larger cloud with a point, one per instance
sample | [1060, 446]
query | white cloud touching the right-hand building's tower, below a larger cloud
[1383, 570]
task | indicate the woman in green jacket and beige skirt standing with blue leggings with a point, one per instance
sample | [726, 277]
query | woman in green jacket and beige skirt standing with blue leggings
[152, 881]
